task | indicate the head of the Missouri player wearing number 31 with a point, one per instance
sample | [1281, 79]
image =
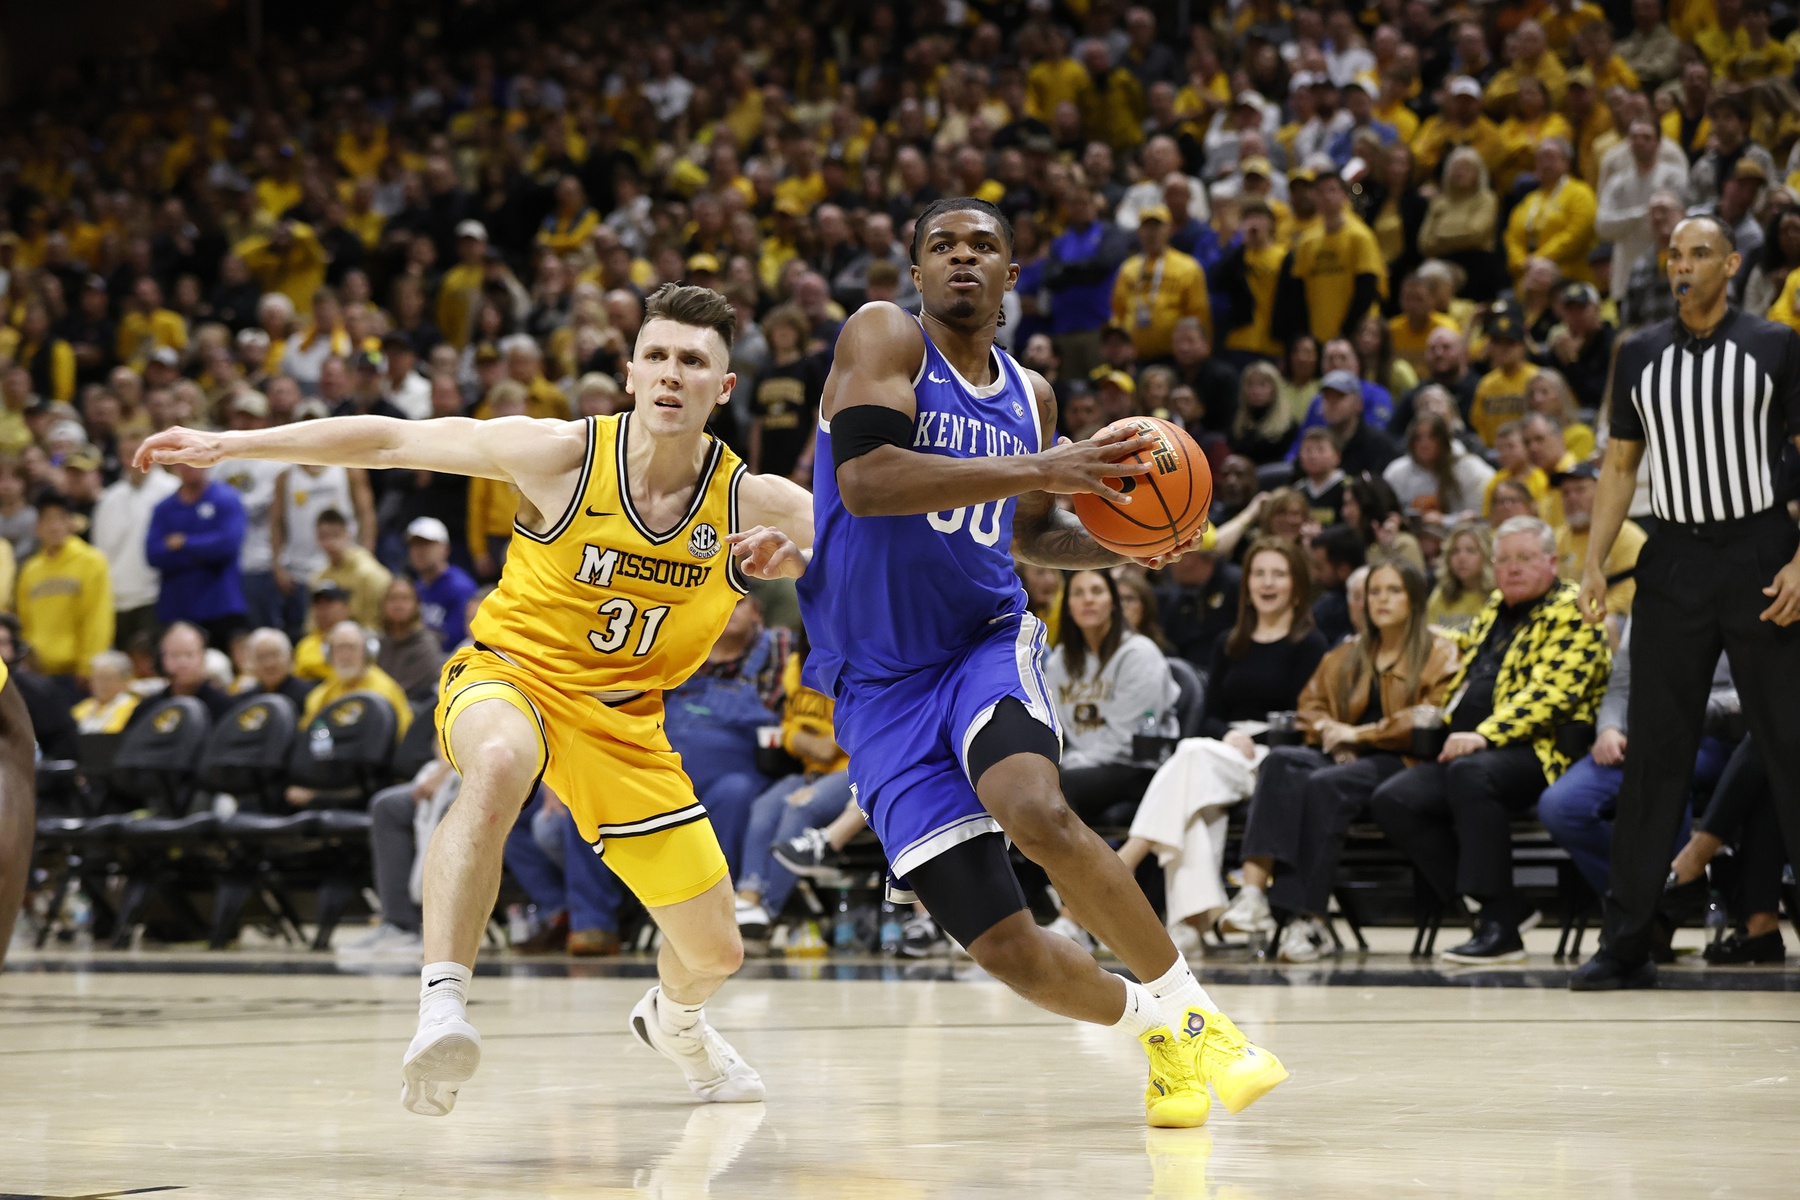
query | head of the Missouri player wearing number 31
[681, 368]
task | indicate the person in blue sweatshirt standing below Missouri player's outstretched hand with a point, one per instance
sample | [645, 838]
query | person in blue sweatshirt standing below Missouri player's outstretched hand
[195, 537]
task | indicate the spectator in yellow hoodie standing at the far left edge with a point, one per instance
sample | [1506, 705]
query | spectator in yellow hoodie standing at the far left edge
[66, 609]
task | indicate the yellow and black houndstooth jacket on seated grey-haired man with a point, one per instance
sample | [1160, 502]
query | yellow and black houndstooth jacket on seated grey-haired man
[1554, 676]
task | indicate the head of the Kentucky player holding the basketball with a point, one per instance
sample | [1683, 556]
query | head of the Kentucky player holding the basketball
[962, 262]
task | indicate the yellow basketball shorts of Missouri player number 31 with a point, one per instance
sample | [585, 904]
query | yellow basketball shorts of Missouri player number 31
[609, 764]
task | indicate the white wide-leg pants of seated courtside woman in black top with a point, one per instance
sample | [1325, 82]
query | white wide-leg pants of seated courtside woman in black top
[1183, 816]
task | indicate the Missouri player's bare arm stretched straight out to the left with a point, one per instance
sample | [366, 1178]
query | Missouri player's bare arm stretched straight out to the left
[517, 451]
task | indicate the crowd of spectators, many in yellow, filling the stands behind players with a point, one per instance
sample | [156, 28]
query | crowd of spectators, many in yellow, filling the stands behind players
[1376, 262]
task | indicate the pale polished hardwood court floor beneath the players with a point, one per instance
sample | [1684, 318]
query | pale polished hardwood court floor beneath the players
[280, 1079]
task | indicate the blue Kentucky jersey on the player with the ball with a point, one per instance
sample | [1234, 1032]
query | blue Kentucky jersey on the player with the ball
[886, 596]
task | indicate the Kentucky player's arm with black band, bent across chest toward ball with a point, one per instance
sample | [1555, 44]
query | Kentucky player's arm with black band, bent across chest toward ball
[876, 363]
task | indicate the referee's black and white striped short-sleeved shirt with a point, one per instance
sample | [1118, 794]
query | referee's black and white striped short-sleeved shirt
[1714, 415]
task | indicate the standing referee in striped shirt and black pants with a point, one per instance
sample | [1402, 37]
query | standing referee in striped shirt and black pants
[1711, 395]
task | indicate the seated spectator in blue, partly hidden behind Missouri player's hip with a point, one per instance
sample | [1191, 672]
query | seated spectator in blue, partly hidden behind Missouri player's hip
[712, 722]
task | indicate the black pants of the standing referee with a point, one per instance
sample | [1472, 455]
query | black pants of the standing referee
[1700, 589]
